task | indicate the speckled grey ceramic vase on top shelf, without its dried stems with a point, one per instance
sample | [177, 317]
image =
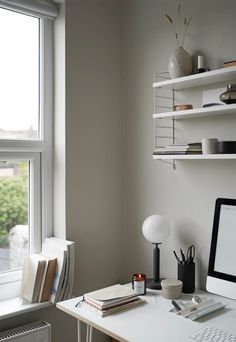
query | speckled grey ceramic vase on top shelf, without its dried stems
[180, 63]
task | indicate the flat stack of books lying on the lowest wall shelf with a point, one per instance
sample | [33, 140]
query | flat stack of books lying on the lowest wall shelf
[191, 148]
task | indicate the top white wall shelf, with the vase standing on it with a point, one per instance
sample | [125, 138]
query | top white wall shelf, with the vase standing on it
[208, 77]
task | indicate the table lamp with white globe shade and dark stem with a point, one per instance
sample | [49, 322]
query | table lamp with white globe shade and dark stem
[156, 229]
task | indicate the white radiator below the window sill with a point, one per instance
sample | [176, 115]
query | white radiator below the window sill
[34, 332]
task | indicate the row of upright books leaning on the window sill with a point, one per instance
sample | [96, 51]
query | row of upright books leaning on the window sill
[49, 276]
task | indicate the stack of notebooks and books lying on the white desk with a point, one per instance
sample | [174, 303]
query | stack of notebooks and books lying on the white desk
[111, 299]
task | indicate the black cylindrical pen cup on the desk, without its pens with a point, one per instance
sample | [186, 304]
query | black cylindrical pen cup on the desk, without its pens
[186, 273]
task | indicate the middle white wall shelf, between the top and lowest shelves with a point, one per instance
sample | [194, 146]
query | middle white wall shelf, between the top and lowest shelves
[198, 112]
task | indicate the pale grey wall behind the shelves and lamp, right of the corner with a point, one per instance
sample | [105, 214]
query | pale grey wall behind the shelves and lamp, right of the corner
[185, 195]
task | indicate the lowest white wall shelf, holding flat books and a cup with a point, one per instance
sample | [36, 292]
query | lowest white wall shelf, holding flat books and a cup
[195, 157]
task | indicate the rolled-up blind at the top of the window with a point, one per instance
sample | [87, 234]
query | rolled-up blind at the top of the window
[33, 7]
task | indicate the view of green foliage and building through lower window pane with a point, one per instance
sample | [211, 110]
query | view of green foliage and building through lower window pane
[14, 213]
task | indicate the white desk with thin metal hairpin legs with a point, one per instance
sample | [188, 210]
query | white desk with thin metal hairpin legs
[151, 322]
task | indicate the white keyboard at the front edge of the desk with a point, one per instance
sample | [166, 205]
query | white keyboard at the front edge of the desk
[211, 334]
